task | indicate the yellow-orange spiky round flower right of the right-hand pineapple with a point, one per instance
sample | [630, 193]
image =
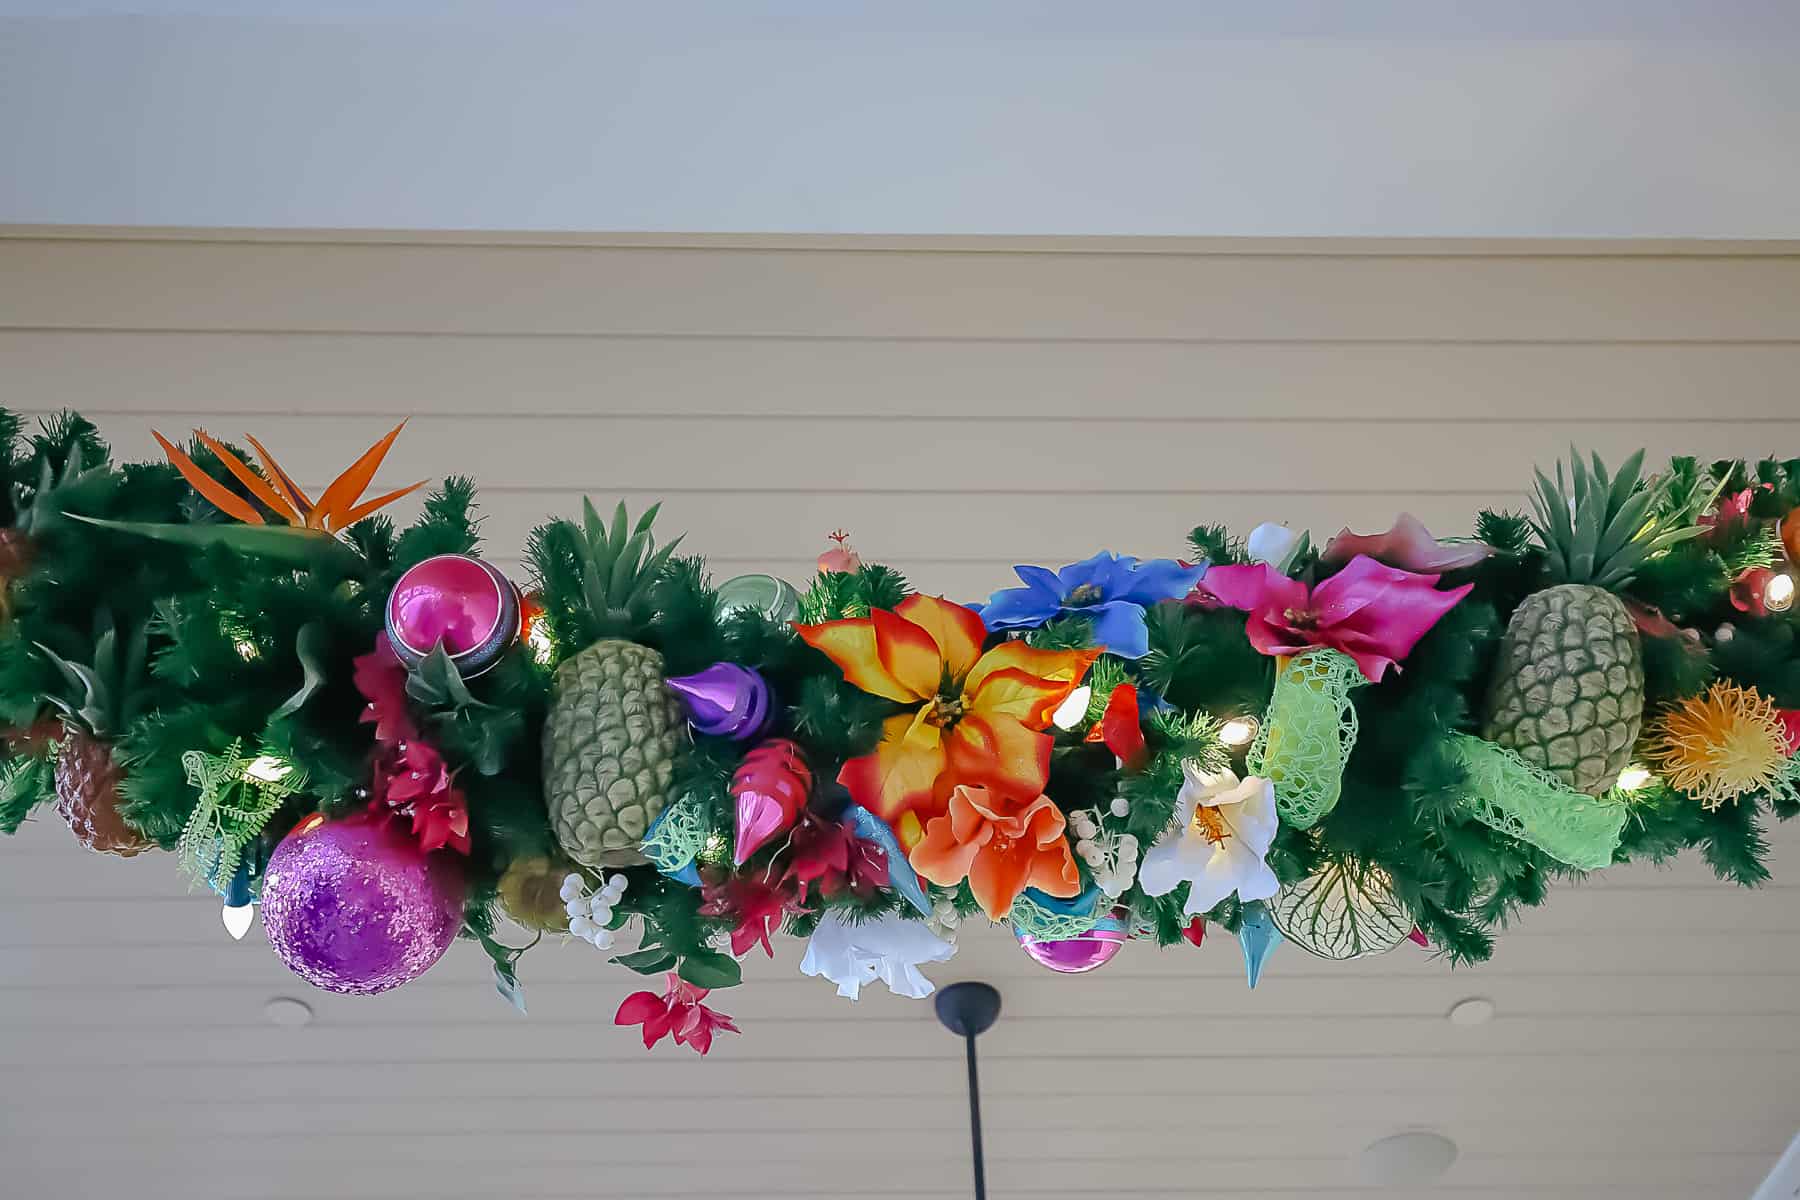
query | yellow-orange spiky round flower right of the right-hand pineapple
[1720, 746]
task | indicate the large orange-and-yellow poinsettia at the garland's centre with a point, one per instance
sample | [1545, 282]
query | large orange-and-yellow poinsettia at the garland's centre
[976, 719]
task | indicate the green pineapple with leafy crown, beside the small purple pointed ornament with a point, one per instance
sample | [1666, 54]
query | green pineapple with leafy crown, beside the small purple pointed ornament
[615, 726]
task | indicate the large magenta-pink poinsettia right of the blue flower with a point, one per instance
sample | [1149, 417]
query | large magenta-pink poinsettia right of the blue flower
[1371, 613]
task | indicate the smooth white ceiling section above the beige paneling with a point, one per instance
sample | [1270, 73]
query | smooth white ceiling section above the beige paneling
[1153, 120]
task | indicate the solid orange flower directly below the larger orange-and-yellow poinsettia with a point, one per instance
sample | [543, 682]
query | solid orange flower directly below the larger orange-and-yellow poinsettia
[1002, 846]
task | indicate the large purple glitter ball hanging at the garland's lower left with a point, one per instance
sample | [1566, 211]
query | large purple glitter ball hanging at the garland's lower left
[357, 908]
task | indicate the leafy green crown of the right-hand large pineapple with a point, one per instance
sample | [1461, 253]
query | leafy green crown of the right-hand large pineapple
[1599, 528]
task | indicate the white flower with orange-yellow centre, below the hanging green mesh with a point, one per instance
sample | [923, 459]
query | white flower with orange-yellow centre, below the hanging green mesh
[1218, 845]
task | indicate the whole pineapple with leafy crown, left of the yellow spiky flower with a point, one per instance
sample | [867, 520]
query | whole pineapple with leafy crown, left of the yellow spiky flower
[1569, 690]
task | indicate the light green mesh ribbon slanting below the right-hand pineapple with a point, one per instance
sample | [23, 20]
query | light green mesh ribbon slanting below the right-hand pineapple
[1522, 800]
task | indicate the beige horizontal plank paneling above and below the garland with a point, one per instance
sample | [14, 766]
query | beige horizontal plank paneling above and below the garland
[960, 407]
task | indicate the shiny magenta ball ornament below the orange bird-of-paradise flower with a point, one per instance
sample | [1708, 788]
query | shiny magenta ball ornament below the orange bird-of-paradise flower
[460, 602]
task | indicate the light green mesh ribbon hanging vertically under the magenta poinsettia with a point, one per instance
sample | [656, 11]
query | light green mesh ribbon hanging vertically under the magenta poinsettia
[1308, 735]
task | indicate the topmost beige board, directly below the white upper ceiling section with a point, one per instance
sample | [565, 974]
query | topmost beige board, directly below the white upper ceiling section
[924, 294]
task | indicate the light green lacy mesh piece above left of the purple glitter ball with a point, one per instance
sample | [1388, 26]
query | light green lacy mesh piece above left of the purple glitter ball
[238, 796]
